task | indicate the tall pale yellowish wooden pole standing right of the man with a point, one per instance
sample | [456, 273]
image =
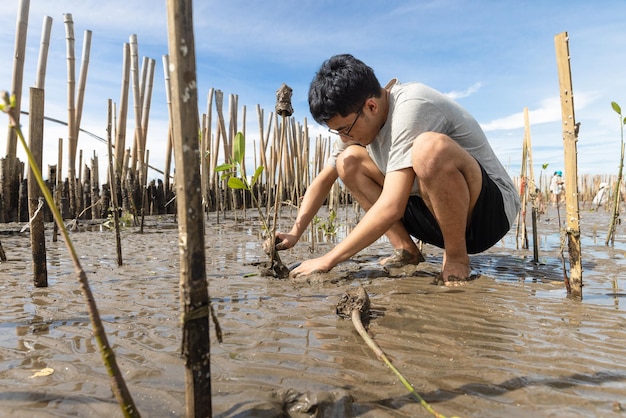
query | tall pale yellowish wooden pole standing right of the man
[571, 170]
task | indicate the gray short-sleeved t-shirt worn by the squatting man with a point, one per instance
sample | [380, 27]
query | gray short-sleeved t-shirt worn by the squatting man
[415, 108]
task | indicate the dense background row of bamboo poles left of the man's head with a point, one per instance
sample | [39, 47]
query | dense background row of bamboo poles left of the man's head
[80, 195]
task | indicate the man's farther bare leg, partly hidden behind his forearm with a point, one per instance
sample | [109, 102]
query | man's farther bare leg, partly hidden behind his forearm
[361, 175]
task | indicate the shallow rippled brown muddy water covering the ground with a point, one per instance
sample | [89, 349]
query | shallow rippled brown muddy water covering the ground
[510, 344]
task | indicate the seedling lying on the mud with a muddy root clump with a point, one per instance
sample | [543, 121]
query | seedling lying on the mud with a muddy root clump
[355, 305]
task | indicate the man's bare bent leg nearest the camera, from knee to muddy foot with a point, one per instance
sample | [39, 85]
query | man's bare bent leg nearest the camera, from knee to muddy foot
[450, 181]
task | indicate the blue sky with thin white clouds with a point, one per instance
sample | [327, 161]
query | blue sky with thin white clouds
[494, 57]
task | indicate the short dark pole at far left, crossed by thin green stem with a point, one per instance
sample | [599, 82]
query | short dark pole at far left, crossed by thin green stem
[35, 197]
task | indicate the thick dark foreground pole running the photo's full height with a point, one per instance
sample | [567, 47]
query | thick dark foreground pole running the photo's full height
[193, 280]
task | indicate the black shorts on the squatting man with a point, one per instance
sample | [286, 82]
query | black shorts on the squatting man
[487, 226]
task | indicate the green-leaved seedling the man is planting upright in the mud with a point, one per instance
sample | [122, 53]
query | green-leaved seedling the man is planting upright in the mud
[229, 171]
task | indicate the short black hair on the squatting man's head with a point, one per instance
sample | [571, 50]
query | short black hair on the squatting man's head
[340, 87]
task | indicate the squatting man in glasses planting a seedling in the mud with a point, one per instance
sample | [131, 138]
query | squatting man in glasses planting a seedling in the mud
[418, 164]
